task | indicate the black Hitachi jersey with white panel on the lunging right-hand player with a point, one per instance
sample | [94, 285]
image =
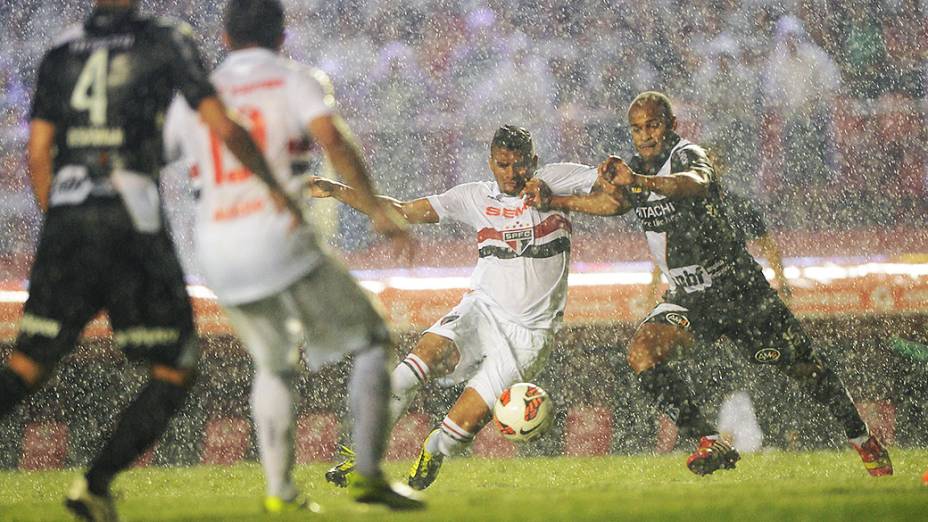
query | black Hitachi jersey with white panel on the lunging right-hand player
[692, 240]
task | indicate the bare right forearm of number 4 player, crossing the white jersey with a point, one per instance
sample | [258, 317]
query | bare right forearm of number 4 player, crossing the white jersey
[213, 113]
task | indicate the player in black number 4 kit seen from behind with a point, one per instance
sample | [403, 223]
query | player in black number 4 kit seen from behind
[94, 156]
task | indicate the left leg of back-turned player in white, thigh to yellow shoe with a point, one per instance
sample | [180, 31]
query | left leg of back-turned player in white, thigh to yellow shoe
[262, 327]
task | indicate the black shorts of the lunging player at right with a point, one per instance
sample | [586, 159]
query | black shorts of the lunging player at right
[753, 317]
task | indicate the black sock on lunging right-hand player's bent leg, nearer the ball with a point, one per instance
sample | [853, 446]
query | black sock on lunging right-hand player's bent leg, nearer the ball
[674, 398]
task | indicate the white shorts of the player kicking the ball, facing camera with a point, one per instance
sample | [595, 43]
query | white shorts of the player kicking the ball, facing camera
[495, 354]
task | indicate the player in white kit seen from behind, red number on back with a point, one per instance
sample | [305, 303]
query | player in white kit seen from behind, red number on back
[270, 275]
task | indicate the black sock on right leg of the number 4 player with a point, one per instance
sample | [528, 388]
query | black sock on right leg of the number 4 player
[141, 425]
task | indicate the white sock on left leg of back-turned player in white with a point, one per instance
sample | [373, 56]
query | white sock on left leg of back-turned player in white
[272, 407]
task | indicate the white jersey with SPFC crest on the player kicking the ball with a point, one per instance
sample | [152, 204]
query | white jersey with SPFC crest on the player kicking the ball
[524, 254]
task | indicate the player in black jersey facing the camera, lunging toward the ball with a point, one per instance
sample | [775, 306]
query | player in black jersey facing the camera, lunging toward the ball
[717, 288]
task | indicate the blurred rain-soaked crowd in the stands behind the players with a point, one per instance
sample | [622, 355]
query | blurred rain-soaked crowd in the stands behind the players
[816, 107]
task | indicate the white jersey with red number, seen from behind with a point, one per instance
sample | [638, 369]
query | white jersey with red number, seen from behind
[248, 249]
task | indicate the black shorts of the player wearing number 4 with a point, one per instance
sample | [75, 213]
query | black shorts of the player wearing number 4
[90, 258]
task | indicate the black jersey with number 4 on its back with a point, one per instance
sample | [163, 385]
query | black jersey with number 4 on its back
[106, 85]
